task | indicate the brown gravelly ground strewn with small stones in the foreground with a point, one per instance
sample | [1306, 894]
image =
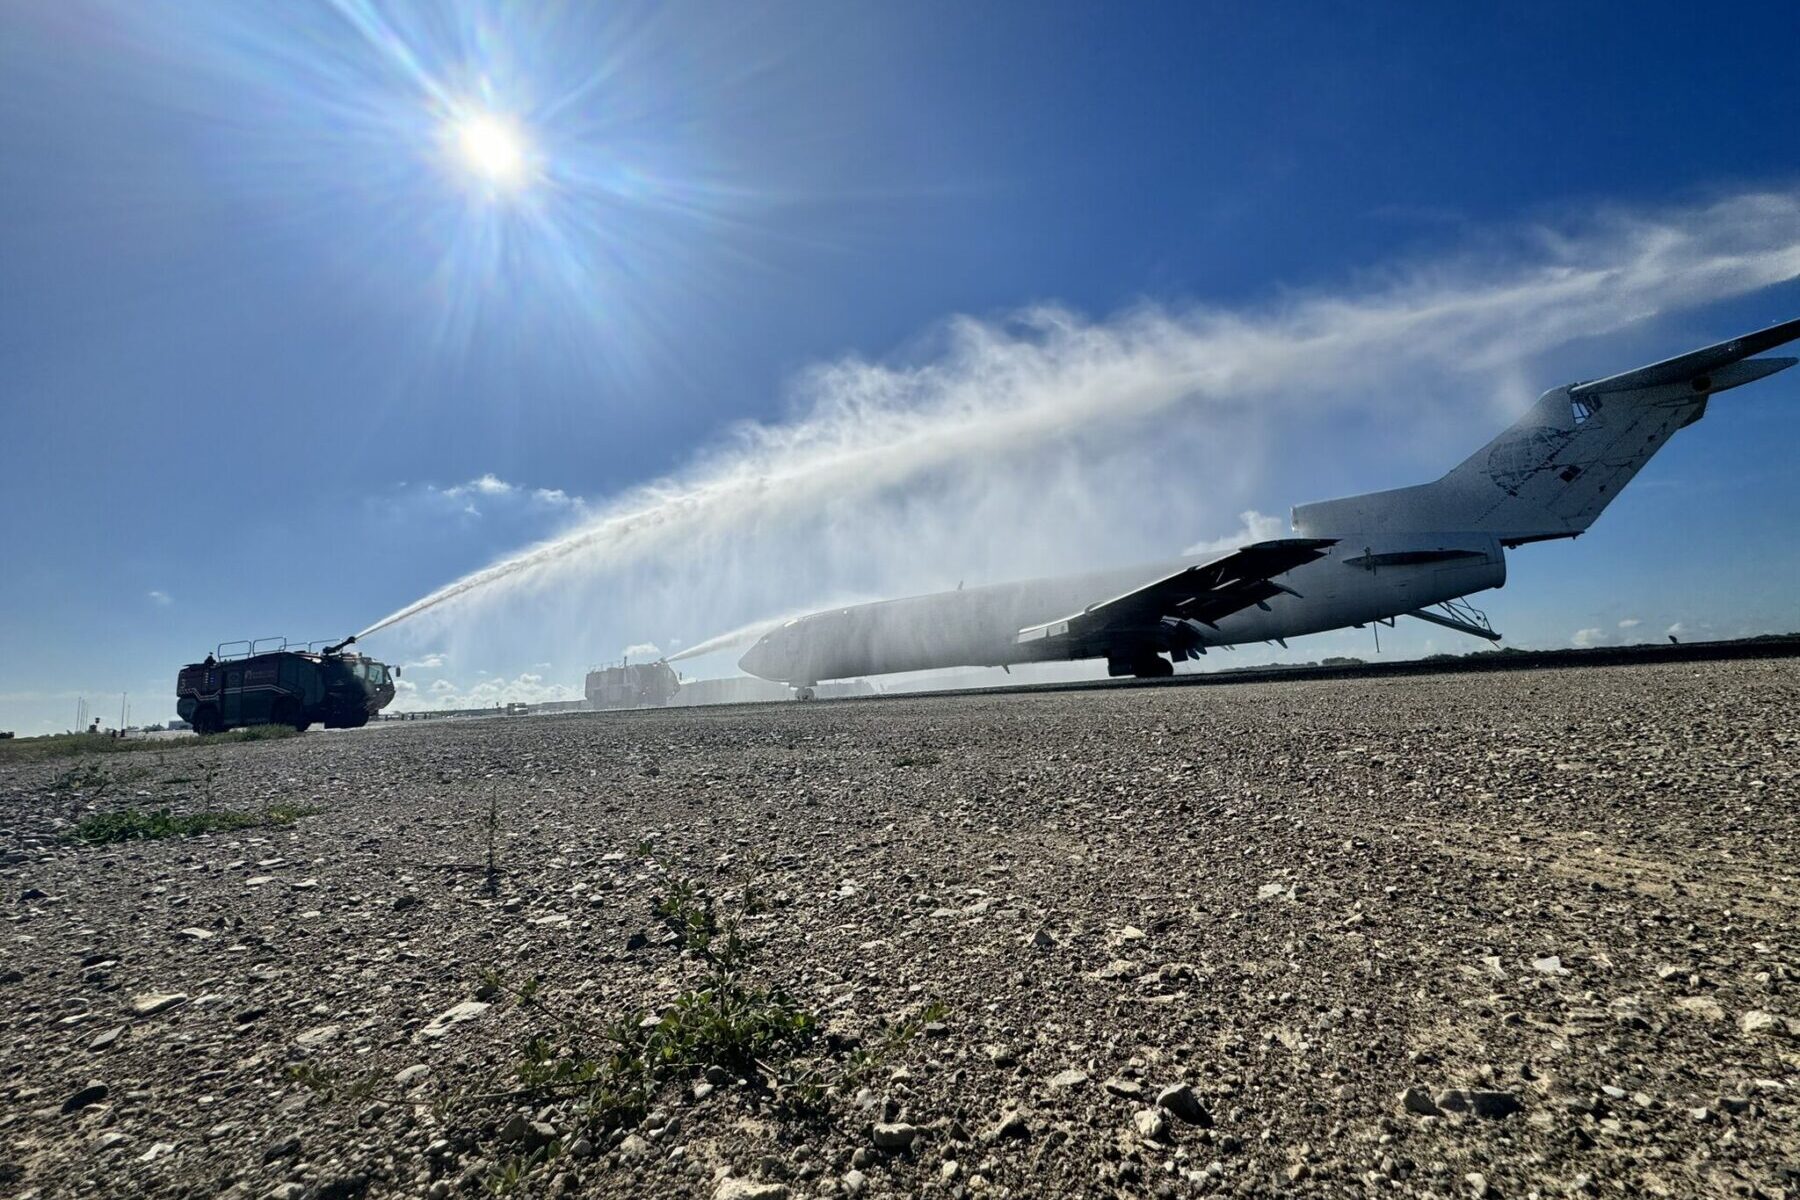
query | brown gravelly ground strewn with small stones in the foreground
[1461, 936]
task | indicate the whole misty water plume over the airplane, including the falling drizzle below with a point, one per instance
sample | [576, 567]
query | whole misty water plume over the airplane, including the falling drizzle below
[1041, 438]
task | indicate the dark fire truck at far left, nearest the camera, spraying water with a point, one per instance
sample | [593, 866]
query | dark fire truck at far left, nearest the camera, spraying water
[283, 686]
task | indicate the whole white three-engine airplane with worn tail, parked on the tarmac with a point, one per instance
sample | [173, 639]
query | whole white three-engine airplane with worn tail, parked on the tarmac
[1405, 553]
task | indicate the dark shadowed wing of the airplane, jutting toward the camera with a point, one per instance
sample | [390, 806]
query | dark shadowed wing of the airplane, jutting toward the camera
[1203, 593]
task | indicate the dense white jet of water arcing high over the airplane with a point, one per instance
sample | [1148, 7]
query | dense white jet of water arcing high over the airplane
[1002, 390]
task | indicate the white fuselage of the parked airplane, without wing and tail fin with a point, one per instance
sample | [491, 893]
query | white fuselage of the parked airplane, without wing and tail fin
[980, 627]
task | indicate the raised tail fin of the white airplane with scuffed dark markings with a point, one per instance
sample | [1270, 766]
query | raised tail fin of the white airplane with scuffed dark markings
[1560, 465]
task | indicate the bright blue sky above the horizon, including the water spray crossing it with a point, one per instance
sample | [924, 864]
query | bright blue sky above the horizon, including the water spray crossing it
[273, 361]
